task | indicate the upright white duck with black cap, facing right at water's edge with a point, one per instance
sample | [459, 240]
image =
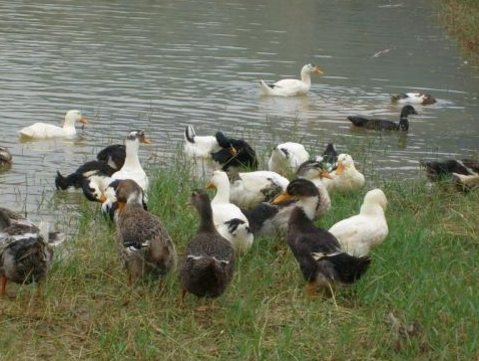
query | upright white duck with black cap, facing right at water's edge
[132, 168]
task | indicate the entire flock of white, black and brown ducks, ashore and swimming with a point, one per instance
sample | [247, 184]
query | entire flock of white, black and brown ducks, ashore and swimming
[285, 200]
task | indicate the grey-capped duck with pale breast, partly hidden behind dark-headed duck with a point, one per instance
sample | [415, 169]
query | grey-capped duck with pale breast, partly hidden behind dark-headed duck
[313, 171]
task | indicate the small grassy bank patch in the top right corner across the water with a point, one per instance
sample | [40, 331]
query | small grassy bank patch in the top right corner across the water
[461, 18]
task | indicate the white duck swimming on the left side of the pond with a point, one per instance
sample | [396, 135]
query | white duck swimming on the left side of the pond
[45, 130]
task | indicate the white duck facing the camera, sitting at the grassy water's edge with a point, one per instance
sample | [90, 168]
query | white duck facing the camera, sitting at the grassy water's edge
[346, 178]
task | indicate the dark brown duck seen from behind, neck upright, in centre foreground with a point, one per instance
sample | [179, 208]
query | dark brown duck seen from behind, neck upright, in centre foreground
[209, 259]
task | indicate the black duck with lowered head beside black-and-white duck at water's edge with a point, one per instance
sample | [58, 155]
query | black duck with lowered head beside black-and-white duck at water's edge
[234, 154]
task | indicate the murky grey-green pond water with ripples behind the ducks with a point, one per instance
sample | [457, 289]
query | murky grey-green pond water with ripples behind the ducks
[159, 65]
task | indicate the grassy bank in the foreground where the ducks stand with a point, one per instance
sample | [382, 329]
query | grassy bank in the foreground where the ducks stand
[418, 301]
